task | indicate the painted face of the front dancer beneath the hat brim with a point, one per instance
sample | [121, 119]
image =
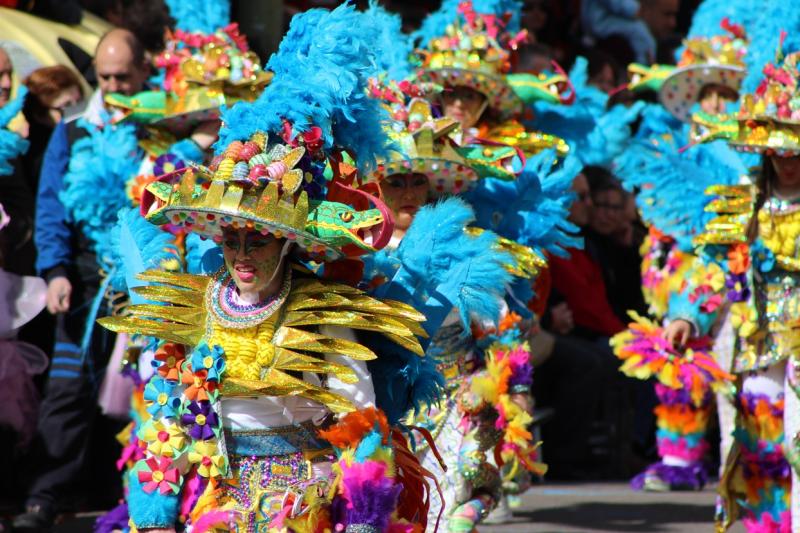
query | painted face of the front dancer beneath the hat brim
[252, 259]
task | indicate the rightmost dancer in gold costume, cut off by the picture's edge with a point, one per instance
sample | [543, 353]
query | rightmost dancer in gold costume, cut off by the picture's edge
[751, 260]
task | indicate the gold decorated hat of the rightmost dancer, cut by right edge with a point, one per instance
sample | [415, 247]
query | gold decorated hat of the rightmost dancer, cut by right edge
[769, 119]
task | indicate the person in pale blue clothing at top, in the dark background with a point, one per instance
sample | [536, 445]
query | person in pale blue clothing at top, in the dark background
[603, 19]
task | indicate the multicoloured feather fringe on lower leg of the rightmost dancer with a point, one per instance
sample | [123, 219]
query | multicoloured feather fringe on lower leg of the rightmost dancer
[766, 472]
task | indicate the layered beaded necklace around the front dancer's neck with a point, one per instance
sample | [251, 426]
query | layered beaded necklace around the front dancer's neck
[221, 300]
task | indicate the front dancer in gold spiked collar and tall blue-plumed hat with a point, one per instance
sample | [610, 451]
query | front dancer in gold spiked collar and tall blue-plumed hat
[256, 365]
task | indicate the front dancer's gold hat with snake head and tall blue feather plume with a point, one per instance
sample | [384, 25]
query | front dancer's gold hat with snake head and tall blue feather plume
[278, 167]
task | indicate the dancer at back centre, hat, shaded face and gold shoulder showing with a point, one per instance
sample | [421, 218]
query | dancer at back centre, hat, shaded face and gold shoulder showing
[465, 63]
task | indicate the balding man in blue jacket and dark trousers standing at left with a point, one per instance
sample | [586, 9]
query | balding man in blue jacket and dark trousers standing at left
[68, 265]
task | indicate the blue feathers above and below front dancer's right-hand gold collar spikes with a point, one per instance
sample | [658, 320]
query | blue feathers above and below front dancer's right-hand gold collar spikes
[436, 267]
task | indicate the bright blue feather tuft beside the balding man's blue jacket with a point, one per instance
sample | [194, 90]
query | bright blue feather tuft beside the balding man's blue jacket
[94, 186]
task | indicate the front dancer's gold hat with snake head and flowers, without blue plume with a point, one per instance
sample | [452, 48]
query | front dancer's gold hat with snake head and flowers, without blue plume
[276, 188]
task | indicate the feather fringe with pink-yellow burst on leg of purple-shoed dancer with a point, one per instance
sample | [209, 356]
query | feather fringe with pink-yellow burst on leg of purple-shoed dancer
[686, 379]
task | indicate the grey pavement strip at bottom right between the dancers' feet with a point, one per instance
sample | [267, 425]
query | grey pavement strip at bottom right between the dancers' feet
[610, 507]
